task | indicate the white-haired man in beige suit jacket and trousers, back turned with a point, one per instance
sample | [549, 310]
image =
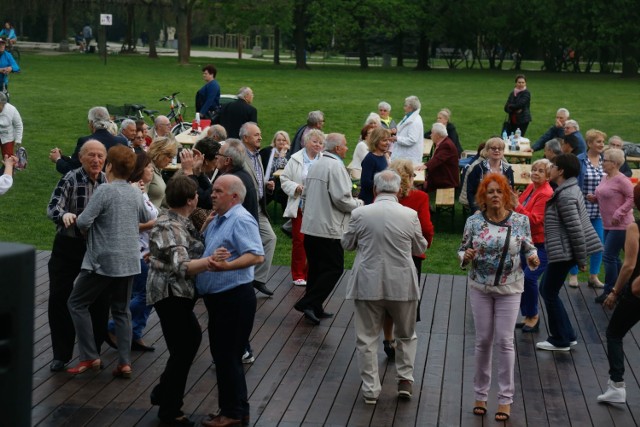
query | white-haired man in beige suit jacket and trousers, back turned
[384, 280]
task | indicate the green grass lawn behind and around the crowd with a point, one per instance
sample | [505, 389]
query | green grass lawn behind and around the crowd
[54, 92]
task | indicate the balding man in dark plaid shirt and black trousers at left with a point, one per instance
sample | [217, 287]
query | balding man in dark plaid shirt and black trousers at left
[69, 199]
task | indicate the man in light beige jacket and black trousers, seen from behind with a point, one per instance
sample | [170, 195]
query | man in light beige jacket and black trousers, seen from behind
[327, 204]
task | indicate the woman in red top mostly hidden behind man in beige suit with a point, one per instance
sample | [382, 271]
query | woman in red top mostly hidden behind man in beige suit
[419, 202]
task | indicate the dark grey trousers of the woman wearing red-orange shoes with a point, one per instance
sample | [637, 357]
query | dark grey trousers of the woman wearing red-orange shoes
[87, 288]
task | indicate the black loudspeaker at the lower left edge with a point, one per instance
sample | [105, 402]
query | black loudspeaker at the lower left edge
[17, 277]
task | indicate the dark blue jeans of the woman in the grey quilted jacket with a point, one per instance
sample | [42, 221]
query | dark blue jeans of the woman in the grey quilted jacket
[560, 328]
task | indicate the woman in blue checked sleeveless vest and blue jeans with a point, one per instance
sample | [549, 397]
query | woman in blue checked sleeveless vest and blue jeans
[591, 173]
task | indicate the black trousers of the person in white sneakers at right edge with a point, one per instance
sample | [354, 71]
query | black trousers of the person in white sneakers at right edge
[624, 317]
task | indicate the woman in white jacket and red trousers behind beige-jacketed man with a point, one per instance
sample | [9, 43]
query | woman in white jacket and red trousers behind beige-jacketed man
[292, 180]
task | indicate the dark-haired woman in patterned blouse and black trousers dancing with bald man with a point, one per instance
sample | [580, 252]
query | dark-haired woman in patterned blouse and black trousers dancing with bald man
[174, 262]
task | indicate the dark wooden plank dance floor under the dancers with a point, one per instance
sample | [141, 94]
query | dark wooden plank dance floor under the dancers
[307, 376]
